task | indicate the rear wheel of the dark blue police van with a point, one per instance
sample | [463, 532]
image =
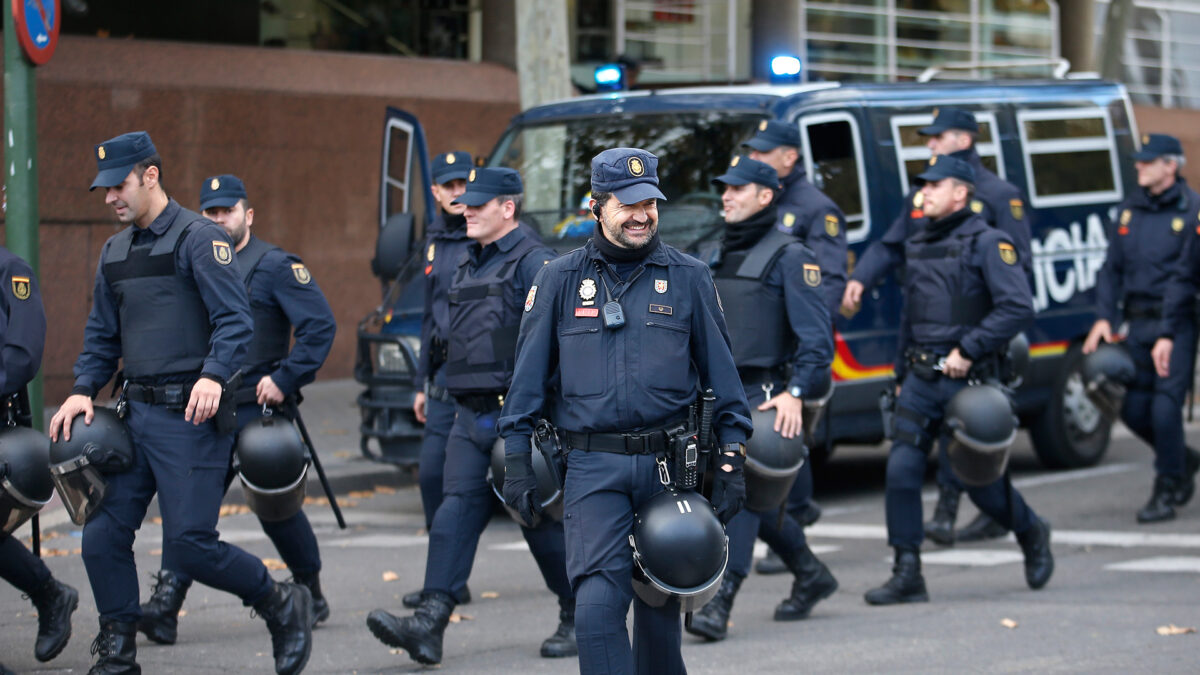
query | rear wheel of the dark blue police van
[1071, 433]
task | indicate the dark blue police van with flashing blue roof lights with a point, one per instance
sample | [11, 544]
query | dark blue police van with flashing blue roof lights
[1065, 144]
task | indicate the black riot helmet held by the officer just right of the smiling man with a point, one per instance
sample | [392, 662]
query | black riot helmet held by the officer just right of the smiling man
[772, 463]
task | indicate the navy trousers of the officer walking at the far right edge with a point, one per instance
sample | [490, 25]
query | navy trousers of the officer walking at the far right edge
[1154, 405]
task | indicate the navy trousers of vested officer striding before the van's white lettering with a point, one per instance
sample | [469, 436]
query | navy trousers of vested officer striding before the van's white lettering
[907, 469]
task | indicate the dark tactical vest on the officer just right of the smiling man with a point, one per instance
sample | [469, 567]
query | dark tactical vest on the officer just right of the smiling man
[755, 316]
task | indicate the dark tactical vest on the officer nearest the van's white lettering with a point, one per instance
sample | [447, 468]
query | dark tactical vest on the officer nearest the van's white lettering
[938, 276]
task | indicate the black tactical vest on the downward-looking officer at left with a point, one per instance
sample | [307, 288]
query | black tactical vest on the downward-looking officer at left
[164, 322]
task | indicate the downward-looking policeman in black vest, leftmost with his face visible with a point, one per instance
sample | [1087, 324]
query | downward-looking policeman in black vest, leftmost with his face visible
[169, 300]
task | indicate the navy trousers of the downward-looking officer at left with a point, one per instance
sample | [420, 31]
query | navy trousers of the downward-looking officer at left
[187, 467]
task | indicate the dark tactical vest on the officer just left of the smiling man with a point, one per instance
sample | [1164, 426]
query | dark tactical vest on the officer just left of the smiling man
[484, 326]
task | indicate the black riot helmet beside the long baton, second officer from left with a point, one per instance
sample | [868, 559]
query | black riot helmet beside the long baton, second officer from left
[273, 467]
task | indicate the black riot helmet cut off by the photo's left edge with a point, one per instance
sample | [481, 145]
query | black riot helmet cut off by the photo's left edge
[26, 485]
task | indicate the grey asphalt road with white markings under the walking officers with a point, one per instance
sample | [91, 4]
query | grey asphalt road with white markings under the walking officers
[1117, 584]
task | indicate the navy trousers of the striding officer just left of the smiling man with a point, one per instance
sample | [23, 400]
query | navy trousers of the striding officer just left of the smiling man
[467, 507]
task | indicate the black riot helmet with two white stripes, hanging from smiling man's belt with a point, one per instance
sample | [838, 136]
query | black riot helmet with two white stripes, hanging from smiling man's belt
[680, 551]
